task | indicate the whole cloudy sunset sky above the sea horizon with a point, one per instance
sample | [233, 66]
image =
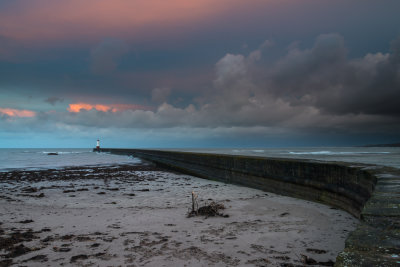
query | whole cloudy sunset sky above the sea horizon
[178, 73]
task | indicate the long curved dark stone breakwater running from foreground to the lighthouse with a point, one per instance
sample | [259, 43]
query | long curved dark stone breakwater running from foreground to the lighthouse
[371, 193]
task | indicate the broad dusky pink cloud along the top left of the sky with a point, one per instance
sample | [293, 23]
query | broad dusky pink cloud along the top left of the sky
[45, 20]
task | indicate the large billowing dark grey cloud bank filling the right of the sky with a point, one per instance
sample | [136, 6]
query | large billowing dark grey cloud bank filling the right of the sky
[315, 89]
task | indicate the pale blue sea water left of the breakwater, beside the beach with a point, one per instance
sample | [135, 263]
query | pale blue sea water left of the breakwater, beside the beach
[32, 159]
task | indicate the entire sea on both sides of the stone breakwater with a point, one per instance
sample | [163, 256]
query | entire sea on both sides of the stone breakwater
[35, 159]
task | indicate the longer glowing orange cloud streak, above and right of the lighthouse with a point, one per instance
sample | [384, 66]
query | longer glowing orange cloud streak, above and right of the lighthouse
[78, 107]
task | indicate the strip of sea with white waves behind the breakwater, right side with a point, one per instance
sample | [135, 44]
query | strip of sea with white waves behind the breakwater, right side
[386, 156]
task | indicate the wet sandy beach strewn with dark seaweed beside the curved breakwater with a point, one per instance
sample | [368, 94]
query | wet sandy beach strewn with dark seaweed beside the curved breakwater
[136, 215]
